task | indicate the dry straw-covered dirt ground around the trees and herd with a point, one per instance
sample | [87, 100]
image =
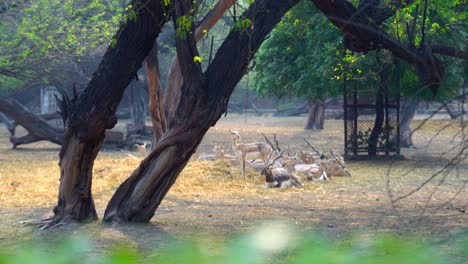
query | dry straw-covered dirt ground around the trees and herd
[211, 201]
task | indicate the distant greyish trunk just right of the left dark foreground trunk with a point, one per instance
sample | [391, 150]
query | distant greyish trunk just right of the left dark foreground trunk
[137, 104]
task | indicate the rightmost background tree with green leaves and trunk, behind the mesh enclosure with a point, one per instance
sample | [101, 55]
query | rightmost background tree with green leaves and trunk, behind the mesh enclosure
[423, 24]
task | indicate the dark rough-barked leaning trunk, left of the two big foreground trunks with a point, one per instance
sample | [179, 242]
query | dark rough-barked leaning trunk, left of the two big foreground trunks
[89, 115]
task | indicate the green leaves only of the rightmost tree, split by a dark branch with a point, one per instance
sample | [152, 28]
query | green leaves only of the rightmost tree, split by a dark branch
[446, 23]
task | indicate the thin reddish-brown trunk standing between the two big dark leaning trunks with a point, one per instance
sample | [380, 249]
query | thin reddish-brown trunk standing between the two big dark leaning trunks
[156, 106]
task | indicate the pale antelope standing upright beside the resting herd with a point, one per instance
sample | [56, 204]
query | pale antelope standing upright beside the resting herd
[260, 149]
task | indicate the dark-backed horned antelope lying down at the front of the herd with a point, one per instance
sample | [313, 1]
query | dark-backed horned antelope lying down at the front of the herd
[279, 177]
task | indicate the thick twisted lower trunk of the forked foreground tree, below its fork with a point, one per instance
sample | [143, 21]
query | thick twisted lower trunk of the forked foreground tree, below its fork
[140, 195]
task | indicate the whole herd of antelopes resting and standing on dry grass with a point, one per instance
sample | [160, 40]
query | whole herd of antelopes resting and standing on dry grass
[281, 172]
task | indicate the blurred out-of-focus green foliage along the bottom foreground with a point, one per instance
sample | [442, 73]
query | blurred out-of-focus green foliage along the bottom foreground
[263, 246]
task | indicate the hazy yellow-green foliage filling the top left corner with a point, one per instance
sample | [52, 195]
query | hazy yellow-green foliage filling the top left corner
[35, 37]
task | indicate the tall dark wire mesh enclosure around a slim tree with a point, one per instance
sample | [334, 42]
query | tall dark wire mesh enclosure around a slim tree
[371, 121]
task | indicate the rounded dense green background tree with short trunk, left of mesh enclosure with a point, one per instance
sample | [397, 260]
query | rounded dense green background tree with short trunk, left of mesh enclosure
[297, 60]
